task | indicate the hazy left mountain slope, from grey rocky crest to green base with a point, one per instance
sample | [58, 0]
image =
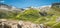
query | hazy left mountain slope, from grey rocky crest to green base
[7, 11]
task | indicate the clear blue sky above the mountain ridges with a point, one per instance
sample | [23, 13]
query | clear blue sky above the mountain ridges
[27, 3]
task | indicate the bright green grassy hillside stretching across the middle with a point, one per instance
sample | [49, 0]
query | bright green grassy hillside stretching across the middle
[35, 15]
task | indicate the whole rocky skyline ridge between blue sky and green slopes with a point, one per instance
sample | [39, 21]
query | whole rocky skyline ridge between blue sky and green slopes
[14, 9]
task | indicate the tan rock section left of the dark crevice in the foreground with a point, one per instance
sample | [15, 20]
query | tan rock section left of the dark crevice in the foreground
[9, 24]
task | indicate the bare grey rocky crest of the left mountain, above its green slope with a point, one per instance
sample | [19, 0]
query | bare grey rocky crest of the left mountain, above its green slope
[9, 8]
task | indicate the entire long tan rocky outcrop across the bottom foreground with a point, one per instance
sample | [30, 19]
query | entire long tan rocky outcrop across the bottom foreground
[19, 24]
